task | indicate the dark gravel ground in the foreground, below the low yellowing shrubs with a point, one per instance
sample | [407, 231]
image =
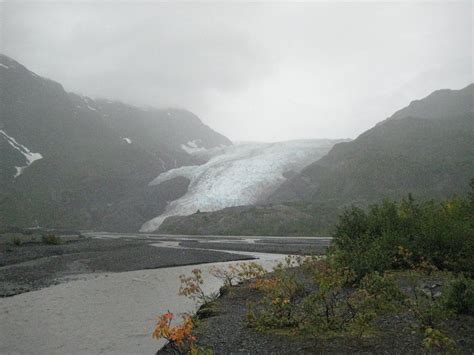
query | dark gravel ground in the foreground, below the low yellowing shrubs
[227, 332]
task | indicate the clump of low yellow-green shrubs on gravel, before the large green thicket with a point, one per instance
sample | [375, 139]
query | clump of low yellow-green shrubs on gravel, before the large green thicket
[333, 306]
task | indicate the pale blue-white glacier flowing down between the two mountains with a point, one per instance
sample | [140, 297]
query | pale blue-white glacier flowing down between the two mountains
[240, 174]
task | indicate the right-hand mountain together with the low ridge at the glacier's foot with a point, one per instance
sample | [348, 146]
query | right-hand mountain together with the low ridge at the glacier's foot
[426, 149]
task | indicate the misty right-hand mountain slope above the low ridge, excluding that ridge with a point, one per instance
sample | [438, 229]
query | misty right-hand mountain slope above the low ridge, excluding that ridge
[426, 149]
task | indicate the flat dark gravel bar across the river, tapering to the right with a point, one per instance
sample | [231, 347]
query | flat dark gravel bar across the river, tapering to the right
[34, 265]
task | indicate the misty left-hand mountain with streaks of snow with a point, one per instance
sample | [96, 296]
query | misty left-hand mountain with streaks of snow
[71, 161]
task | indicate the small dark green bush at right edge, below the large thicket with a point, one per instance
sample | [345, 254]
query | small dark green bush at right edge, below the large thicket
[459, 296]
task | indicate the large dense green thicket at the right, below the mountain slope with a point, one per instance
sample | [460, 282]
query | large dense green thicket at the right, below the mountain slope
[439, 234]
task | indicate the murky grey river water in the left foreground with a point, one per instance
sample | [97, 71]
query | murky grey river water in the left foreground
[100, 313]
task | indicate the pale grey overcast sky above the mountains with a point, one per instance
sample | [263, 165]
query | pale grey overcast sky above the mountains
[264, 71]
